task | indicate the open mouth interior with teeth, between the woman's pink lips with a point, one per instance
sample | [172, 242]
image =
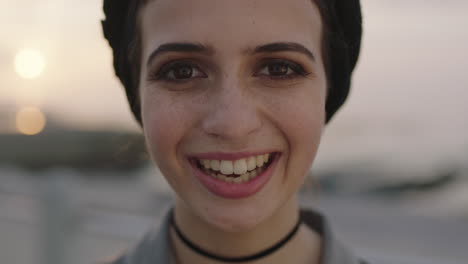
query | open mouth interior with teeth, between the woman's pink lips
[237, 171]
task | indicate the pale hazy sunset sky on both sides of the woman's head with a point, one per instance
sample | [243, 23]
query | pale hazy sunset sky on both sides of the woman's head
[411, 80]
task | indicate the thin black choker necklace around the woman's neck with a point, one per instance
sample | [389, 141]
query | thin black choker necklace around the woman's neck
[255, 256]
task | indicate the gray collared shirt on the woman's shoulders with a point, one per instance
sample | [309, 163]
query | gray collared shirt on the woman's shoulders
[155, 248]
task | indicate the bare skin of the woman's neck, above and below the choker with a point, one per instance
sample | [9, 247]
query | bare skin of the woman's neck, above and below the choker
[304, 246]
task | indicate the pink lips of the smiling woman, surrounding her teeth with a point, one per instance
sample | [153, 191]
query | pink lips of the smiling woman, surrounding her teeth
[233, 190]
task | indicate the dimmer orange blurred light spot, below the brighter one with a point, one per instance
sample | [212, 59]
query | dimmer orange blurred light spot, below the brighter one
[30, 121]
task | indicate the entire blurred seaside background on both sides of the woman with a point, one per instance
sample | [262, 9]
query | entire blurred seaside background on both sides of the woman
[76, 186]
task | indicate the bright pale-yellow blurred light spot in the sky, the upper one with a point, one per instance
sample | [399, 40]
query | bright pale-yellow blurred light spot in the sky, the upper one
[29, 63]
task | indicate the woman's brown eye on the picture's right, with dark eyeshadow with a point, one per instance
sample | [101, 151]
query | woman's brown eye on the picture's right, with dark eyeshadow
[280, 69]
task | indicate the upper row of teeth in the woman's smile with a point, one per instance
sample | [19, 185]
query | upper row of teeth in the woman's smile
[237, 167]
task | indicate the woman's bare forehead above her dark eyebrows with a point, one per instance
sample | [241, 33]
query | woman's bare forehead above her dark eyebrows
[230, 24]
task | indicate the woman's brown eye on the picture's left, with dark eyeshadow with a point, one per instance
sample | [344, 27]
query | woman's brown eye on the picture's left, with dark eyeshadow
[178, 71]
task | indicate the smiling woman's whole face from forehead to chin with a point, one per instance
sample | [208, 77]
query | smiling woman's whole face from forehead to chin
[222, 84]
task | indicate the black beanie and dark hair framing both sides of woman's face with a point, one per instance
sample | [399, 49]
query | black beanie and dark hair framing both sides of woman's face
[341, 42]
